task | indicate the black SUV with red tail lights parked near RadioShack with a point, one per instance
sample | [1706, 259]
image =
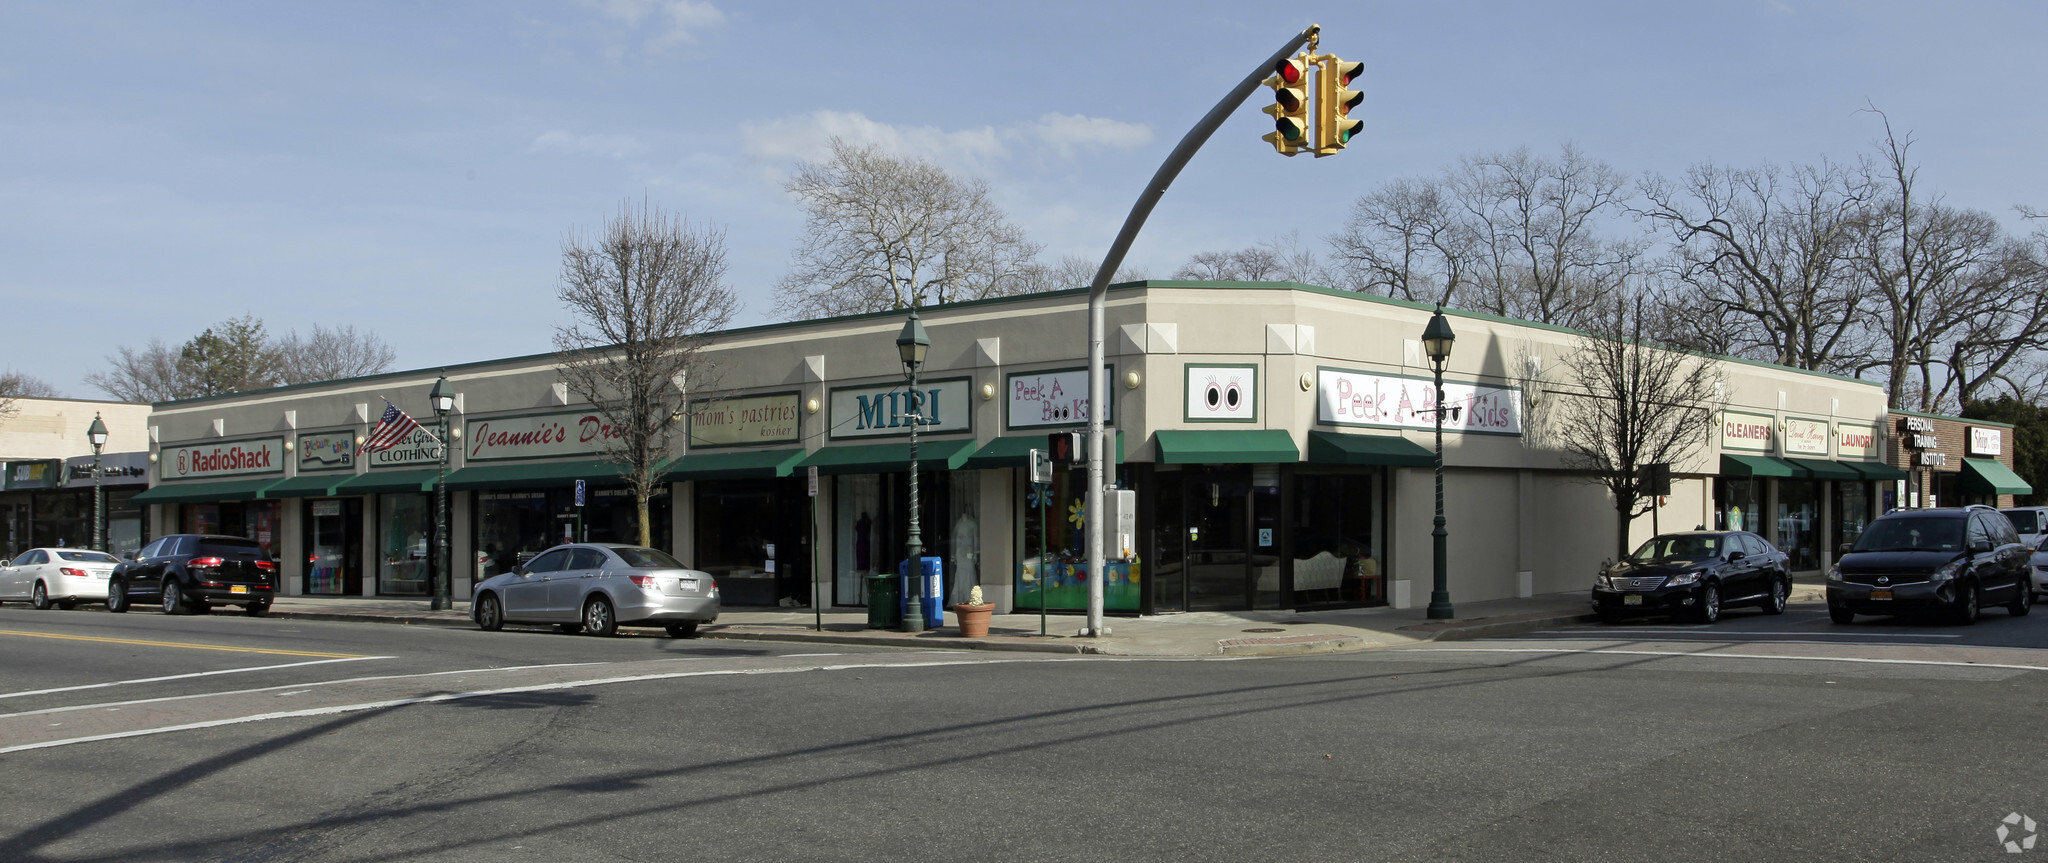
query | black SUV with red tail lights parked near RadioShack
[189, 573]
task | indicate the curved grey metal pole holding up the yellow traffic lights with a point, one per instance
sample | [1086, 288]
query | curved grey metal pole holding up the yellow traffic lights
[1099, 294]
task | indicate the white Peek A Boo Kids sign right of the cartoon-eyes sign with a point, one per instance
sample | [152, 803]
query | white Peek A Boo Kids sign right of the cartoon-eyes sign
[1357, 399]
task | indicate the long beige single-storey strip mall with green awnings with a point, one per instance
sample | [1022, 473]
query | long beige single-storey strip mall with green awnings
[1277, 438]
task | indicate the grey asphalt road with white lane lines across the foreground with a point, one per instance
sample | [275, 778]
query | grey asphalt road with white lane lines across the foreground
[1584, 743]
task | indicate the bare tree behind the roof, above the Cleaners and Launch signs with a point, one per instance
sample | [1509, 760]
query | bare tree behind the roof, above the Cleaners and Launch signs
[1773, 249]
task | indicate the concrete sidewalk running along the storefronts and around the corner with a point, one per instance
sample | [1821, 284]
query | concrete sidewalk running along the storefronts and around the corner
[1189, 634]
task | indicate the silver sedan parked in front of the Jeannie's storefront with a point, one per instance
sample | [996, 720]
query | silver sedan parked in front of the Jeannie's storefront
[597, 587]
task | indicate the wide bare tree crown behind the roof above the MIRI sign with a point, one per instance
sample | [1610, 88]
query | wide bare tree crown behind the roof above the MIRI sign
[888, 233]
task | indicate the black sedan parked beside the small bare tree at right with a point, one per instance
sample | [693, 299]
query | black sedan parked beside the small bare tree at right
[1695, 575]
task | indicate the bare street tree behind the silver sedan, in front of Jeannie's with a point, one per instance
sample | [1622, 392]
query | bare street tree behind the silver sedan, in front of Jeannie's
[648, 296]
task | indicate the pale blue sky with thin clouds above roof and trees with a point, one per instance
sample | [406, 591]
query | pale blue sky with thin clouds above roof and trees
[413, 169]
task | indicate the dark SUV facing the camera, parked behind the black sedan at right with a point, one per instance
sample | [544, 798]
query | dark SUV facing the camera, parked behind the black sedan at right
[1953, 561]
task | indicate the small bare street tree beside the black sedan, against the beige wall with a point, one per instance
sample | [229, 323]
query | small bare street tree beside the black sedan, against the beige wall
[1631, 403]
